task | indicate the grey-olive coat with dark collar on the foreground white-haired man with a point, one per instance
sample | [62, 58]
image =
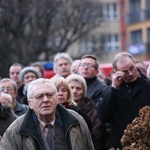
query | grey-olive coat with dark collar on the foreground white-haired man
[25, 133]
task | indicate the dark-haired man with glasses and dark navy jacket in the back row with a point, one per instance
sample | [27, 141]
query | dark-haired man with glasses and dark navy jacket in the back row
[89, 69]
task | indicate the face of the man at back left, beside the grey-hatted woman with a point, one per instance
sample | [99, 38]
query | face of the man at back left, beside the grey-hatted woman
[14, 73]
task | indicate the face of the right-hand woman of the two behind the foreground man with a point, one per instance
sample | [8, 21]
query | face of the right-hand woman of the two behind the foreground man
[77, 90]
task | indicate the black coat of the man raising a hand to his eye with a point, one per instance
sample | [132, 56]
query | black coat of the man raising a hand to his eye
[120, 108]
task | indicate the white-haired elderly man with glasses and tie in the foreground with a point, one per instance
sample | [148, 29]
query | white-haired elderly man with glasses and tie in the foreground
[68, 130]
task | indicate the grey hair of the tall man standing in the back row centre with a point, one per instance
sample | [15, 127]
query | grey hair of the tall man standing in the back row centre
[61, 55]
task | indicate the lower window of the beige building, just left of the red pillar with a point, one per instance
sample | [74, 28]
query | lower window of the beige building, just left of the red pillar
[111, 43]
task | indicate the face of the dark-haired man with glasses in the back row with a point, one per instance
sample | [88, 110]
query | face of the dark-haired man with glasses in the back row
[87, 68]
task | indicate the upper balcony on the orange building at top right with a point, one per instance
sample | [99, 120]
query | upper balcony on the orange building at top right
[138, 16]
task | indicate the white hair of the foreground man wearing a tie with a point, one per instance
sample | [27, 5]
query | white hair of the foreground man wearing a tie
[37, 82]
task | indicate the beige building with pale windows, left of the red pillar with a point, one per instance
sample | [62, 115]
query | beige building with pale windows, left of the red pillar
[108, 34]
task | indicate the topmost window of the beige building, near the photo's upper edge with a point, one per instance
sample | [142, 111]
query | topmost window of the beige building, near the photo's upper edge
[109, 11]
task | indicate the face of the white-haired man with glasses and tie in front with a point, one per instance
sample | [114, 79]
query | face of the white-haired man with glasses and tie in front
[44, 100]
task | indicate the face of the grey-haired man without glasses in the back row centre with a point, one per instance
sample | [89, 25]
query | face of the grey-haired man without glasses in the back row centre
[63, 67]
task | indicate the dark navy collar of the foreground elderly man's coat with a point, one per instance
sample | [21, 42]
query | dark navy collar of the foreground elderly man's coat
[30, 125]
